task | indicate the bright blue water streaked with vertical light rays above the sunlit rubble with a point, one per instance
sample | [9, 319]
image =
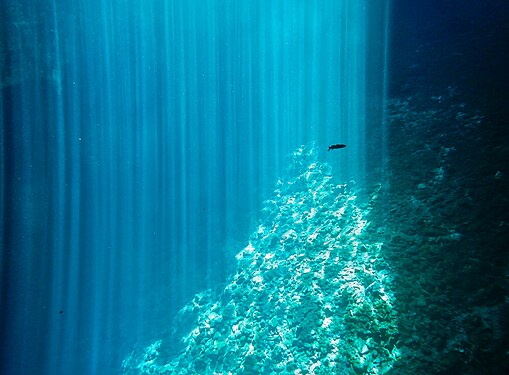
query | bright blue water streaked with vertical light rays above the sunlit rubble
[139, 141]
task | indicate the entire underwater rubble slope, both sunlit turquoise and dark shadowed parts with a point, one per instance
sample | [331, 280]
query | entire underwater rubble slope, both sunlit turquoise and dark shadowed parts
[313, 292]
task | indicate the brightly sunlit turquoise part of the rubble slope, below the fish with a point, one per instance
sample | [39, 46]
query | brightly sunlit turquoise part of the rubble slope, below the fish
[311, 293]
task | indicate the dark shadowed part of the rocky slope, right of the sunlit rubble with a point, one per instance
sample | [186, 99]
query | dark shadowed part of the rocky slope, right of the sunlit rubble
[445, 236]
